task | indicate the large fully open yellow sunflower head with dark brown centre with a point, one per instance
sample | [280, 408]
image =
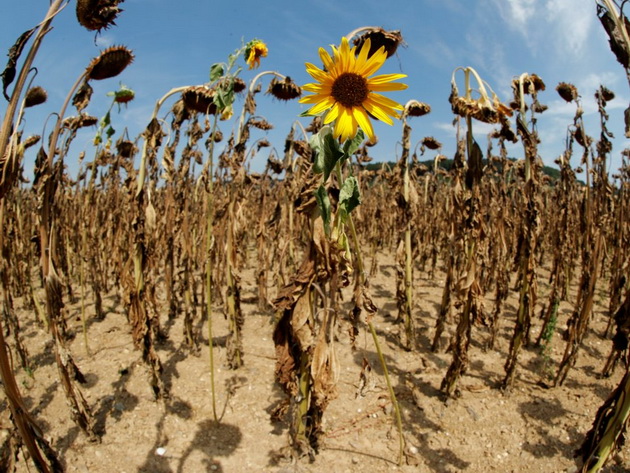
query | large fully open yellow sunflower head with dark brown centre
[346, 90]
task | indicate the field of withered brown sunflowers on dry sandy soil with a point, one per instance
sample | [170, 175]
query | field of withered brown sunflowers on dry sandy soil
[166, 309]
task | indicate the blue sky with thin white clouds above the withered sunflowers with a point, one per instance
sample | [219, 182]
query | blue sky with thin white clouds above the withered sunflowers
[176, 42]
